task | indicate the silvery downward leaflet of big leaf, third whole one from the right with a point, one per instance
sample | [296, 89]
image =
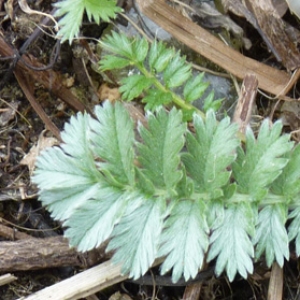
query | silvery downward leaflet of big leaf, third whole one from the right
[184, 240]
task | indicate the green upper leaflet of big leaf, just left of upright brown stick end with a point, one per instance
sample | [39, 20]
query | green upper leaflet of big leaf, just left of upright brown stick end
[210, 152]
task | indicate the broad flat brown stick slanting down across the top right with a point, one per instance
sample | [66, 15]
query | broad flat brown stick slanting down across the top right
[269, 79]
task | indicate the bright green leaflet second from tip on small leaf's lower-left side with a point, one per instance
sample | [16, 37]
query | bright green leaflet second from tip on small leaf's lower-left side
[134, 85]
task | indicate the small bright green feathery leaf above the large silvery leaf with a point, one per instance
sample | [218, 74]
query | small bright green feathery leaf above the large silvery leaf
[159, 71]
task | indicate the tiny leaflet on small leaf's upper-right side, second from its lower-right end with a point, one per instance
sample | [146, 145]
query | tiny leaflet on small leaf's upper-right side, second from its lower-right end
[195, 88]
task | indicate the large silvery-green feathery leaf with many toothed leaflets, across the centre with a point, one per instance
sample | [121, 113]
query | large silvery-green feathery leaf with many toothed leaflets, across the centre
[156, 198]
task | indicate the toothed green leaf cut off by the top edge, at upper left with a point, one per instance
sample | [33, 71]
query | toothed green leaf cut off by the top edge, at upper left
[72, 12]
